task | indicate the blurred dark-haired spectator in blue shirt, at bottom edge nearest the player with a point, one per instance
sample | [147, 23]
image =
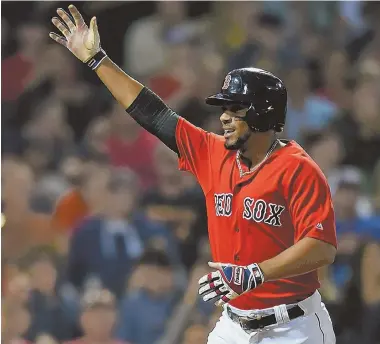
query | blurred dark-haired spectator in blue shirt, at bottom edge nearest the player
[149, 300]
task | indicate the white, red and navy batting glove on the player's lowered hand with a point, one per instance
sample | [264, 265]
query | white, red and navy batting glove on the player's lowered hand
[229, 282]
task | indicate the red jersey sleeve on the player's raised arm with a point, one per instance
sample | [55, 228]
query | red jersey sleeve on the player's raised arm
[194, 145]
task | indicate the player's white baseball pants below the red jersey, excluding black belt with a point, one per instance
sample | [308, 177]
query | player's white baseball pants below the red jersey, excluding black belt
[315, 327]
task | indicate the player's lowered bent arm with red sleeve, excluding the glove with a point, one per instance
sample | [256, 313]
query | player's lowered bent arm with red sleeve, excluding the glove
[312, 213]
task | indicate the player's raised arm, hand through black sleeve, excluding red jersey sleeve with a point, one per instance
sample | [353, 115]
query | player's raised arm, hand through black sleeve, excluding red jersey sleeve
[141, 103]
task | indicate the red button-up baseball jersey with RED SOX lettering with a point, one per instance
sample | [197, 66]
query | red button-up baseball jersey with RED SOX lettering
[254, 217]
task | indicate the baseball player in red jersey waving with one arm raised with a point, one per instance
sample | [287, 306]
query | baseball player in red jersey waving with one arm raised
[270, 215]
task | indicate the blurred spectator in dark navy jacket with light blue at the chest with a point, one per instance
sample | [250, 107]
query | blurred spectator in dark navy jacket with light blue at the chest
[106, 245]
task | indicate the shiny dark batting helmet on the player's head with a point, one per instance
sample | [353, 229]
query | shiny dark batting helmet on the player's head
[263, 93]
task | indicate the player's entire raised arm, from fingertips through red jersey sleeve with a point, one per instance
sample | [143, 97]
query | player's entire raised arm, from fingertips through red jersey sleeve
[193, 145]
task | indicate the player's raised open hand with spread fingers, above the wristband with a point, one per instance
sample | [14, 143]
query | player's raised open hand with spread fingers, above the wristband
[81, 40]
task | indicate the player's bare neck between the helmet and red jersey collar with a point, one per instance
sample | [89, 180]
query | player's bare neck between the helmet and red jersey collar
[258, 146]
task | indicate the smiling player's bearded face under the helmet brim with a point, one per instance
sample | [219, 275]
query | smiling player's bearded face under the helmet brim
[236, 130]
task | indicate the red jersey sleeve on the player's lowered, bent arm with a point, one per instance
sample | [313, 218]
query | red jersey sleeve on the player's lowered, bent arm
[310, 204]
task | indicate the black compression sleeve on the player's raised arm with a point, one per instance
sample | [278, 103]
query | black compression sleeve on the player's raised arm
[154, 115]
